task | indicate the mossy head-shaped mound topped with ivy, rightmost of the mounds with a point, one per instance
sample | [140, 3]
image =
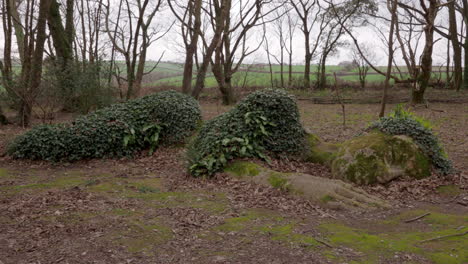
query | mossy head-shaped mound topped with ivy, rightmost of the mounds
[397, 145]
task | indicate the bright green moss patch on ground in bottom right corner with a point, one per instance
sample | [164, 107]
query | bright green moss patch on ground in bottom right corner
[386, 244]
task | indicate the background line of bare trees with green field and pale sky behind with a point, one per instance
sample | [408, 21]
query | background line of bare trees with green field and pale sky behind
[81, 55]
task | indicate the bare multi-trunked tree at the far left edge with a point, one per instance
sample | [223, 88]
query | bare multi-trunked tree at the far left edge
[32, 32]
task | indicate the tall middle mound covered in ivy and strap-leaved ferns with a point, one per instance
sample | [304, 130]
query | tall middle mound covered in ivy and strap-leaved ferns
[265, 121]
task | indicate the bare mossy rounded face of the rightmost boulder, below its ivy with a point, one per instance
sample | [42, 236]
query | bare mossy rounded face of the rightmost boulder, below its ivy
[376, 157]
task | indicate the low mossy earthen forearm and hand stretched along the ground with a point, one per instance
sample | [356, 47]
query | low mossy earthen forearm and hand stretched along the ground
[331, 193]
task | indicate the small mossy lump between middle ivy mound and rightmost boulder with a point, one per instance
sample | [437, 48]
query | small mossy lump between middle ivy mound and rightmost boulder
[320, 151]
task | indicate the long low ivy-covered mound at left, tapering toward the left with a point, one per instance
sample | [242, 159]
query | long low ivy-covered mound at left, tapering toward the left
[116, 131]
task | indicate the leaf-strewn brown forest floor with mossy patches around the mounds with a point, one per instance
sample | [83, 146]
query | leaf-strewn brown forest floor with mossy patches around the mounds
[149, 210]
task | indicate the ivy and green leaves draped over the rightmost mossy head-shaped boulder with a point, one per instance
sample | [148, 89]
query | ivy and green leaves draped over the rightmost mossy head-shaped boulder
[402, 122]
